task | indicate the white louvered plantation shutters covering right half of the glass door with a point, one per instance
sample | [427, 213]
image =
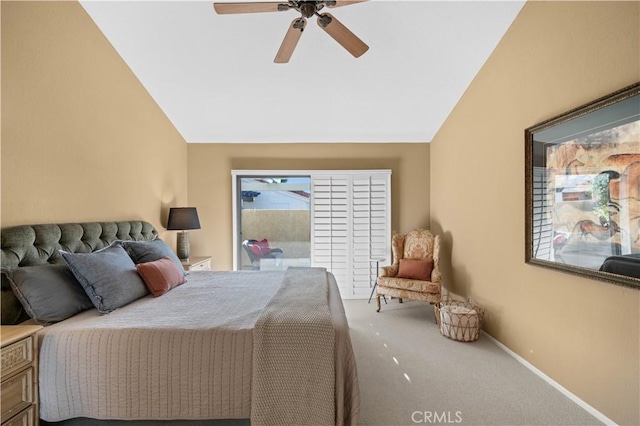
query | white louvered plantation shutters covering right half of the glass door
[351, 225]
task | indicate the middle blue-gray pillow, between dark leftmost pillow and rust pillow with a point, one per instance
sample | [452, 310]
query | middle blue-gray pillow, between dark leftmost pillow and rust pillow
[109, 277]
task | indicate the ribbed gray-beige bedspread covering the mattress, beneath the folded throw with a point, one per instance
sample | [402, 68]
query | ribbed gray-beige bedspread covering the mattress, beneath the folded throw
[185, 355]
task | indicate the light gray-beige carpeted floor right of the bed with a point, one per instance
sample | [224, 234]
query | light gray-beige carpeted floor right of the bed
[410, 374]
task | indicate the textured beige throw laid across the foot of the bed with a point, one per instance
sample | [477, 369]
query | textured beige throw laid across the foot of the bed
[293, 356]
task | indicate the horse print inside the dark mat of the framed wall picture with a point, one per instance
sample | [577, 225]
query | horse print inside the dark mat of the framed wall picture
[599, 219]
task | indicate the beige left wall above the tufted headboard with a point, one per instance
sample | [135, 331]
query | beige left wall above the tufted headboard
[82, 140]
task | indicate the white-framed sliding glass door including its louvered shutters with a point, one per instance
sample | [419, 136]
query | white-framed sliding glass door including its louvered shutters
[336, 219]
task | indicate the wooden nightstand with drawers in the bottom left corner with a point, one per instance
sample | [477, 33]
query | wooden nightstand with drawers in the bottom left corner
[19, 390]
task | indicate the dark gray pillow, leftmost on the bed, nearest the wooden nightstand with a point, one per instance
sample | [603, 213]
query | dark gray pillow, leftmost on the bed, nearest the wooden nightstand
[48, 293]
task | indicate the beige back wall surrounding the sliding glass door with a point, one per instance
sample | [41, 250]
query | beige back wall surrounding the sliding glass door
[210, 168]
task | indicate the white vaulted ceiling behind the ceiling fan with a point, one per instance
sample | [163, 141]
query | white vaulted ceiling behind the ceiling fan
[214, 76]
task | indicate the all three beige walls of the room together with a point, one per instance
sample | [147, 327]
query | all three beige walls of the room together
[82, 140]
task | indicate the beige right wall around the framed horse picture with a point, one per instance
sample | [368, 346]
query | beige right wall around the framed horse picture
[583, 333]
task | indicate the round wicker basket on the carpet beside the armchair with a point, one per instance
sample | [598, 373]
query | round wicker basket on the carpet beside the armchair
[460, 321]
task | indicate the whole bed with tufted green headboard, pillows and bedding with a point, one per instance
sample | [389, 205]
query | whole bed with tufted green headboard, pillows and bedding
[269, 346]
